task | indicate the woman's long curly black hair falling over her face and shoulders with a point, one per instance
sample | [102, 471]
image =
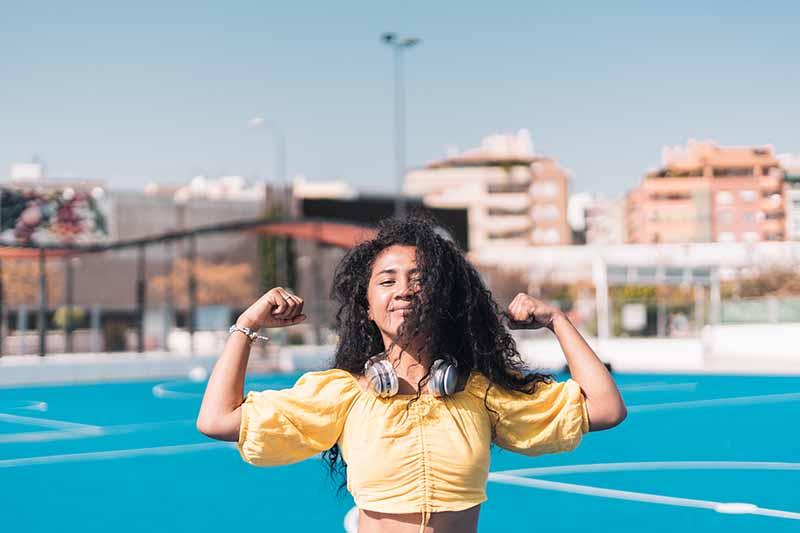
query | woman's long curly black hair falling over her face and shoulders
[452, 315]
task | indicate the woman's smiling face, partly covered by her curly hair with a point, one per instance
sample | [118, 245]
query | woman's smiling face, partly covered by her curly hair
[393, 282]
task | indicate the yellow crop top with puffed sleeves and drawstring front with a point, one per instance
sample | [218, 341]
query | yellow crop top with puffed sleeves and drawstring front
[436, 458]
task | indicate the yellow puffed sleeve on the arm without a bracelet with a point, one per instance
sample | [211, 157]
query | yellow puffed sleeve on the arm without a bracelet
[552, 419]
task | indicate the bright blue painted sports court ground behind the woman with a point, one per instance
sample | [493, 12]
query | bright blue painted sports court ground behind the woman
[117, 457]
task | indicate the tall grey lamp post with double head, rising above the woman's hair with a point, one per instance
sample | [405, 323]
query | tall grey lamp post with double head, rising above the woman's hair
[399, 44]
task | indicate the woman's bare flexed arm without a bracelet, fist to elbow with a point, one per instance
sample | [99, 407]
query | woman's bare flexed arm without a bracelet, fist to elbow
[603, 400]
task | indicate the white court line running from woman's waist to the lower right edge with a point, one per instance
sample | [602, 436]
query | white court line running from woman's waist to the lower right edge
[722, 507]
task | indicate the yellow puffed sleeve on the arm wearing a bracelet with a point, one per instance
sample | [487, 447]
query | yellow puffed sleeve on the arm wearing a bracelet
[286, 426]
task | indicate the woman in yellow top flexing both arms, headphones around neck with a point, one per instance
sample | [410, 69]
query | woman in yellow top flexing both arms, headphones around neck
[426, 377]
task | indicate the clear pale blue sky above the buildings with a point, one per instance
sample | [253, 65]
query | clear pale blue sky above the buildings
[137, 91]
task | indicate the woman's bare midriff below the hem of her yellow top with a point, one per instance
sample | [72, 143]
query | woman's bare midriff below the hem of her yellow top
[465, 521]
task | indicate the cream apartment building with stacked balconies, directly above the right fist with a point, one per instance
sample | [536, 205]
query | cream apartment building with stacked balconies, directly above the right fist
[512, 196]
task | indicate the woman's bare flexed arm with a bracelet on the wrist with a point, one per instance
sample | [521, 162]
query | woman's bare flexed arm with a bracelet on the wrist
[220, 412]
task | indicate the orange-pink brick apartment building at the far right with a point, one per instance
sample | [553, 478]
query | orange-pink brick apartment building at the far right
[704, 192]
